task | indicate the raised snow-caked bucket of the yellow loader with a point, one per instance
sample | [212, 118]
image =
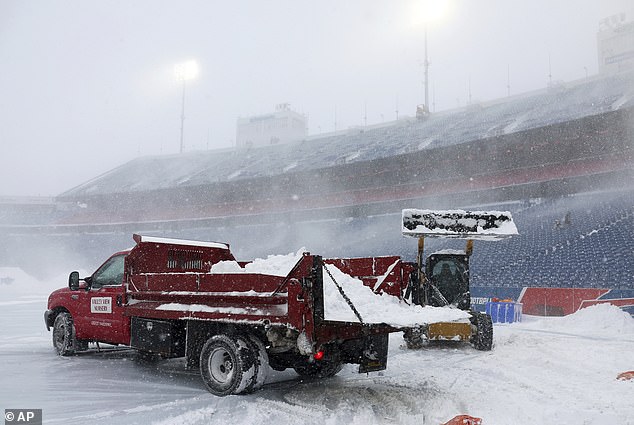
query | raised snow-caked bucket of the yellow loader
[477, 225]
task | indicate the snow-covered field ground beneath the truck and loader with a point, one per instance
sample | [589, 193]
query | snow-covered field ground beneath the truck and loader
[540, 371]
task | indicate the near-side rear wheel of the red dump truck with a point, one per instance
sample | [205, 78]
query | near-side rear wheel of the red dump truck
[227, 365]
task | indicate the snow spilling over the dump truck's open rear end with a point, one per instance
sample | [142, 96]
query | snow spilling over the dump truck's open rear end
[375, 308]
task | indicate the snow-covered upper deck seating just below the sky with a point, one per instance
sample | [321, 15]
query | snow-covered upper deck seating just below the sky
[558, 104]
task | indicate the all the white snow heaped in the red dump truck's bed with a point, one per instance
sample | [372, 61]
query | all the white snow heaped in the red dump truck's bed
[373, 308]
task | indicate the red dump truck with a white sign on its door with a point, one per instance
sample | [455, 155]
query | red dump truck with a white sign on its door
[161, 299]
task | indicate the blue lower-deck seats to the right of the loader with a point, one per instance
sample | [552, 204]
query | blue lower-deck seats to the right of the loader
[586, 240]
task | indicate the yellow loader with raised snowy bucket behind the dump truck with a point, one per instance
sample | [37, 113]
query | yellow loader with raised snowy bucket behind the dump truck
[442, 279]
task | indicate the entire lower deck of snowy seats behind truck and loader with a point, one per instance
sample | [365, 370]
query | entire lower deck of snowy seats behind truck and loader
[583, 240]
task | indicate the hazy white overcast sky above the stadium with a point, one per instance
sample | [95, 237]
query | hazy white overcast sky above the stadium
[86, 86]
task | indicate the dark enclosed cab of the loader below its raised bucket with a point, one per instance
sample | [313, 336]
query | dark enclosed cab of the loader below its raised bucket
[447, 275]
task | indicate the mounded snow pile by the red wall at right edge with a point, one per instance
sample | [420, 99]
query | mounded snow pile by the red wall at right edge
[597, 320]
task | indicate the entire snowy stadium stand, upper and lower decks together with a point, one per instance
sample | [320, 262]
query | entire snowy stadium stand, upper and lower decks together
[561, 159]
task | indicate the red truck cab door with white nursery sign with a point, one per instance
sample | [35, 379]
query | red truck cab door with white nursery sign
[101, 317]
